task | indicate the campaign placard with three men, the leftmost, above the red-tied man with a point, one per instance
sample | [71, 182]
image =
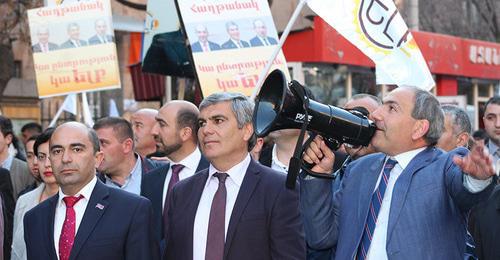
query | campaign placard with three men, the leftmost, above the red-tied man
[73, 48]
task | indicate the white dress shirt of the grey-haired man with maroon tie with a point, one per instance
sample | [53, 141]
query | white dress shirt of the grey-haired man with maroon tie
[233, 184]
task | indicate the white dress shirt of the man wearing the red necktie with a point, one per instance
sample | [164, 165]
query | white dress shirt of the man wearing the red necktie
[79, 208]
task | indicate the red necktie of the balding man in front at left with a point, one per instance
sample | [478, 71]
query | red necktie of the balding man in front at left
[68, 231]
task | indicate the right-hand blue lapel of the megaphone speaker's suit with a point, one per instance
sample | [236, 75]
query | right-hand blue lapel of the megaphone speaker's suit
[402, 185]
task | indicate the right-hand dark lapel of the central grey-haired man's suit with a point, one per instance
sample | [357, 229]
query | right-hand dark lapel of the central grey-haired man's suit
[248, 185]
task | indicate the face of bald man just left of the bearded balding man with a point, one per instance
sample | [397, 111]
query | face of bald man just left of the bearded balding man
[143, 121]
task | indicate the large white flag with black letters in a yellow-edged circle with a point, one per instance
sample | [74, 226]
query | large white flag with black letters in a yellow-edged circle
[377, 29]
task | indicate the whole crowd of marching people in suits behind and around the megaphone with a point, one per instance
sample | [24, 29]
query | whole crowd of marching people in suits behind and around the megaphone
[194, 182]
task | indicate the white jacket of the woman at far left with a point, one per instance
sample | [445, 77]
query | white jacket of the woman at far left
[24, 203]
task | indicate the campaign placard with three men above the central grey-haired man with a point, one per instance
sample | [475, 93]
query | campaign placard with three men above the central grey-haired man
[231, 42]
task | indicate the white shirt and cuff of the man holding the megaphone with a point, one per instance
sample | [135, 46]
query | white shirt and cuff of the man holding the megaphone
[377, 248]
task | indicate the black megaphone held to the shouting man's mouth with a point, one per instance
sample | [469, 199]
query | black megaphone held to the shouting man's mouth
[279, 106]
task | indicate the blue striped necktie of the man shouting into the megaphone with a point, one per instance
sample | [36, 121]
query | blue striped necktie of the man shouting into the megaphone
[376, 203]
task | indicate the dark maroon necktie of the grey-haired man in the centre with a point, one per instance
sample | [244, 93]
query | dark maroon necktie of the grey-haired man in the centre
[216, 222]
